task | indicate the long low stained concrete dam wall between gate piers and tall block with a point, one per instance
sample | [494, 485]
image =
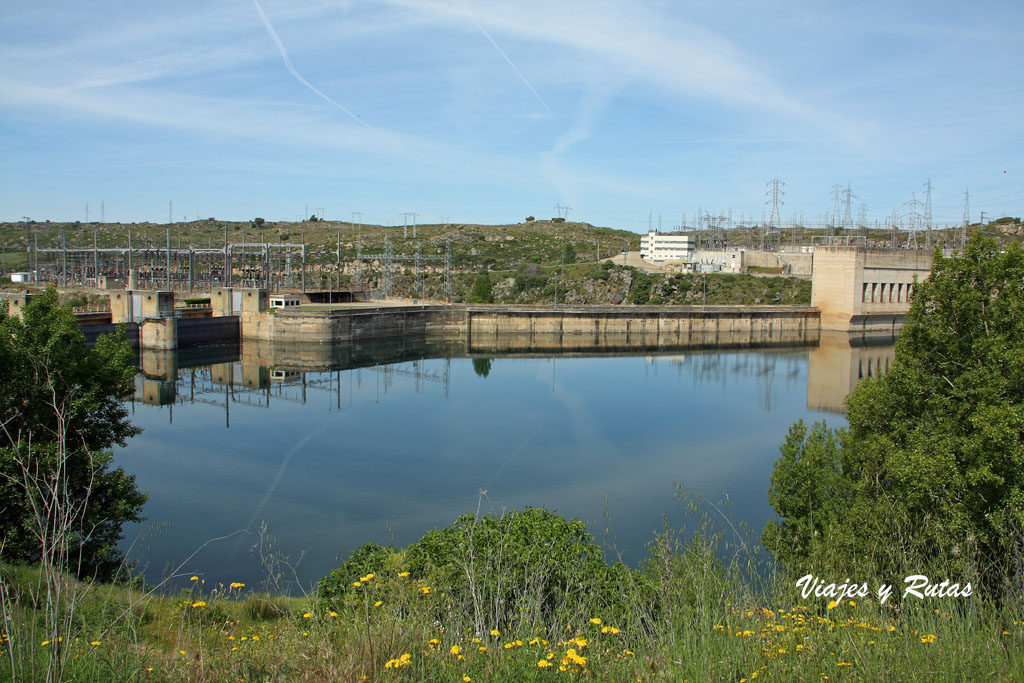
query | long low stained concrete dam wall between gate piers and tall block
[493, 328]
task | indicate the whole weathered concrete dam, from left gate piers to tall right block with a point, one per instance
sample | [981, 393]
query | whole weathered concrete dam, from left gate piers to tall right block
[854, 290]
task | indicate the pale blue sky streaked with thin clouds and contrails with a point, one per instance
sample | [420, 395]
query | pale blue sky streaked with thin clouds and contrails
[493, 111]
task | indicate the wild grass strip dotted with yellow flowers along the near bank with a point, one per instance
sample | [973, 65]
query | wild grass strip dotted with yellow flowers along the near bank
[684, 616]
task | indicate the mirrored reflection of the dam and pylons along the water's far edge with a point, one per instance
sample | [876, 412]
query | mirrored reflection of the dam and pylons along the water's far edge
[257, 373]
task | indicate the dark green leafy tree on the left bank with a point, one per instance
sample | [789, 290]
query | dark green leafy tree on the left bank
[61, 410]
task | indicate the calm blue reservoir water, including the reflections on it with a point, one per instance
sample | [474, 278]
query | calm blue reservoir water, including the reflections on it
[308, 453]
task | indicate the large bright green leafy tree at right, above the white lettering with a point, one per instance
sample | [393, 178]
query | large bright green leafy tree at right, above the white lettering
[932, 466]
